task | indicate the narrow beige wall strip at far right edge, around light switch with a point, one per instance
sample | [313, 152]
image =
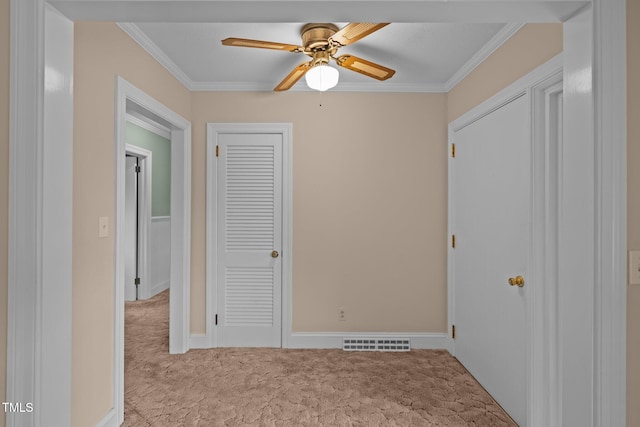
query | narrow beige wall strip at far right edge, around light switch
[633, 208]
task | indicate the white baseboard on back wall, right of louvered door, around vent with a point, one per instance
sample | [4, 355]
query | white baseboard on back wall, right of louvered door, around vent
[419, 340]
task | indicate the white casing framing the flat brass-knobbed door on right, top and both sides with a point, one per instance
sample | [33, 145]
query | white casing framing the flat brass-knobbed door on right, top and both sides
[543, 77]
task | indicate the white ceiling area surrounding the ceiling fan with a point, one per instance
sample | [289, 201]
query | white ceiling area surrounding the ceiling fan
[427, 57]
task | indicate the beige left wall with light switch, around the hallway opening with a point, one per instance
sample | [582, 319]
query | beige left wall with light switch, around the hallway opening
[102, 51]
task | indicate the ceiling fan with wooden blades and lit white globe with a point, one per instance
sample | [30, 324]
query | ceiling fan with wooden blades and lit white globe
[321, 42]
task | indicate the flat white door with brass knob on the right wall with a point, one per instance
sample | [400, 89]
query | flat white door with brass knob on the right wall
[491, 203]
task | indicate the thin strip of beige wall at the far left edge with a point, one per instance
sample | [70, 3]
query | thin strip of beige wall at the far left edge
[4, 192]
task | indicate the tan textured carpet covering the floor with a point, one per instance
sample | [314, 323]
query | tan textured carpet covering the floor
[280, 387]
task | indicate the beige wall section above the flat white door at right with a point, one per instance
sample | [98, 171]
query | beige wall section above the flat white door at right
[530, 47]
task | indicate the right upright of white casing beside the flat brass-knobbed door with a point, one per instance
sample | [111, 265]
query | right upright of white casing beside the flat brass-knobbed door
[544, 389]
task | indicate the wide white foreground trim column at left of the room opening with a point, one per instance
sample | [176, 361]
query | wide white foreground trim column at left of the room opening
[39, 322]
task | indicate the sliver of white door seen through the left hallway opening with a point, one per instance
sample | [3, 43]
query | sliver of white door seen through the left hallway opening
[130, 229]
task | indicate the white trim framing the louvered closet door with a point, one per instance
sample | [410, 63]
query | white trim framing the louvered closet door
[213, 130]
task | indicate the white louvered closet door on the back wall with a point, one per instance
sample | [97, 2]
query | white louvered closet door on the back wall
[249, 239]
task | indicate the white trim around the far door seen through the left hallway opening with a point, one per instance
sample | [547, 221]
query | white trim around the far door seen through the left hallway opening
[144, 217]
